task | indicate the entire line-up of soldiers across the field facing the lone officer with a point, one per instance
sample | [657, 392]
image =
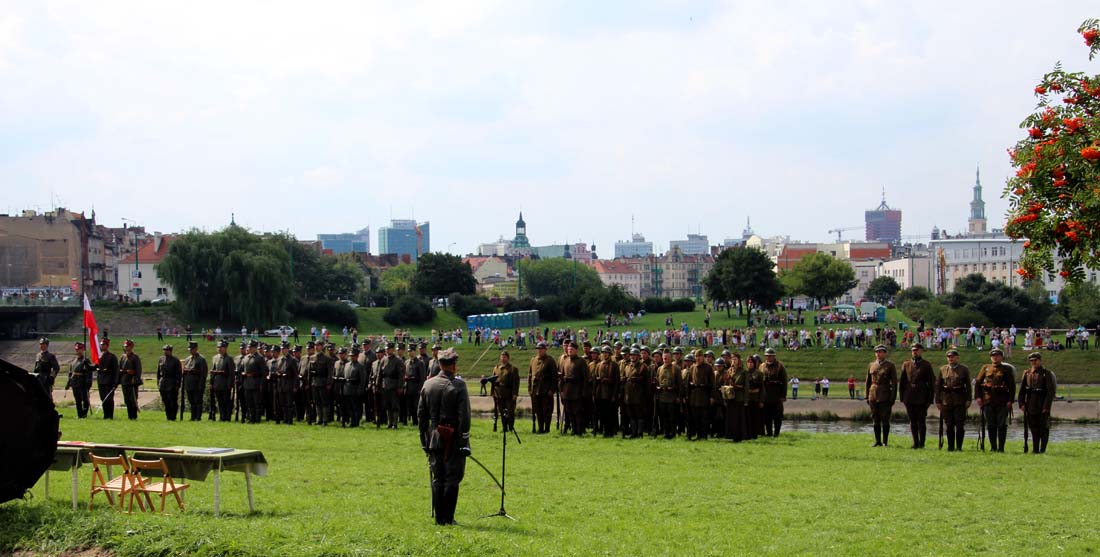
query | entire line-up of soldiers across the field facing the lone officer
[609, 389]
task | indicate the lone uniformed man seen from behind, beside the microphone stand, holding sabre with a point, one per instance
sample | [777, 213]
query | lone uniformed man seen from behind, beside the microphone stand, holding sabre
[445, 435]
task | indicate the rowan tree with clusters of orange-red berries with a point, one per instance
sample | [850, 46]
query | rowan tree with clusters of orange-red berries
[1055, 195]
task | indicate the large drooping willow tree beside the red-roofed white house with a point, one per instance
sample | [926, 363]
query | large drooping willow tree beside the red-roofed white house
[232, 276]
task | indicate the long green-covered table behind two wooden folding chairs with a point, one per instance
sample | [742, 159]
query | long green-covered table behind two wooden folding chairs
[184, 463]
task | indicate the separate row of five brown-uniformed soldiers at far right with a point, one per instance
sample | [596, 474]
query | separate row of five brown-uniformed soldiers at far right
[951, 389]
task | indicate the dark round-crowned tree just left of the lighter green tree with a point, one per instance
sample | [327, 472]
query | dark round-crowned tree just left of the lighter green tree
[744, 275]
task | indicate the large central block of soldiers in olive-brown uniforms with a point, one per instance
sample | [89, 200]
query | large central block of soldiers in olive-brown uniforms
[635, 391]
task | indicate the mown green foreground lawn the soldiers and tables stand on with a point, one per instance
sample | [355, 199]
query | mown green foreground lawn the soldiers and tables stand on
[366, 493]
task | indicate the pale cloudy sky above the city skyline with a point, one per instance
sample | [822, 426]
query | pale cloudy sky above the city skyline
[683, 117]
